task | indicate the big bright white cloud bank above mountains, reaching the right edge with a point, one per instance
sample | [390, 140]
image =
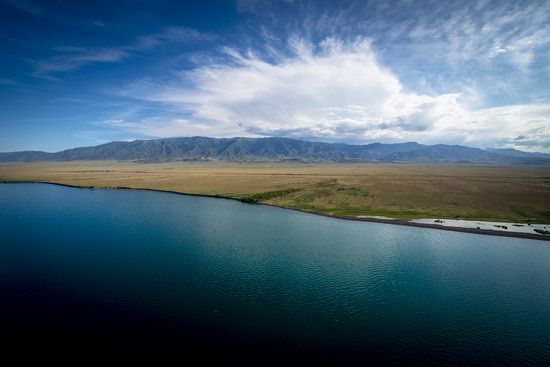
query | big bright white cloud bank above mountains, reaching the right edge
[331, 91]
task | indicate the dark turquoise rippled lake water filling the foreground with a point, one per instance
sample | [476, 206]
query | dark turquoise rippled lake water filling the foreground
[137, 267]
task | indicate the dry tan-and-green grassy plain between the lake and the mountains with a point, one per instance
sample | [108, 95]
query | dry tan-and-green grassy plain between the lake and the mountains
[499, 193]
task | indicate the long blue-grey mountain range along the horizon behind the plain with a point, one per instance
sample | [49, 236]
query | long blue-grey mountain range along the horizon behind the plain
[276, 150]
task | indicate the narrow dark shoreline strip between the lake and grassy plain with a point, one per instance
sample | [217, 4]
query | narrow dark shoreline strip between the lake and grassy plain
[398, 221]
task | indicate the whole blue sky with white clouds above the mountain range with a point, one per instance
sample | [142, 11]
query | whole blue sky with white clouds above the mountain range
[475, 73]
